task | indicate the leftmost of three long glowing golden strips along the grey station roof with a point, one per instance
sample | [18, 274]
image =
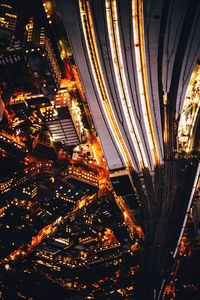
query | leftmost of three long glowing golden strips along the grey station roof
[91, 45]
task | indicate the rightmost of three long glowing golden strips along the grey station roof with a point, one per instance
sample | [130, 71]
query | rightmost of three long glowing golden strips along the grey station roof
[139, 47]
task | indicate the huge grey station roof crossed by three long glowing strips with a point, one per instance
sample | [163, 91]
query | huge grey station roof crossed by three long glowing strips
[124, 76]
